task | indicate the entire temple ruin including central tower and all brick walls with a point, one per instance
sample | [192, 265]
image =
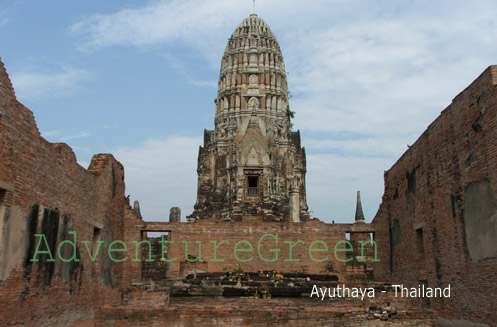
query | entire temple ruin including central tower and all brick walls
[250, 254]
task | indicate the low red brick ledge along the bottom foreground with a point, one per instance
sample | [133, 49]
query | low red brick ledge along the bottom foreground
[258, 312]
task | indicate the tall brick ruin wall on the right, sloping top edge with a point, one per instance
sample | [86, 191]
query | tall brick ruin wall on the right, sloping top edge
[438, 219]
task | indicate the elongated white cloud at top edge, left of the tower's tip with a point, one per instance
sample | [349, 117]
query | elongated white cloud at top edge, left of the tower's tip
[197, 24]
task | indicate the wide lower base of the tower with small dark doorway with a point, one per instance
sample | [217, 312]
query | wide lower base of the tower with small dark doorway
[255, 177]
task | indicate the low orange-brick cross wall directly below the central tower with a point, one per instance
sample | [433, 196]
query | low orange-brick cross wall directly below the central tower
[206, 232]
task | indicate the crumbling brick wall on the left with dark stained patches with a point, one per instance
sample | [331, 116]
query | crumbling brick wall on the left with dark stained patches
[44, 190]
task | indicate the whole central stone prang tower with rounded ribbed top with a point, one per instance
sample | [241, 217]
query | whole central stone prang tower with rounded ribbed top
[252, 167]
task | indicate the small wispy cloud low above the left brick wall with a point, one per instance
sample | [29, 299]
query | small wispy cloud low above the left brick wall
[36, 85]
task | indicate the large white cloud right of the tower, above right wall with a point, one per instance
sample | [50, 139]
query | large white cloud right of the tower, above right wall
[386, 76]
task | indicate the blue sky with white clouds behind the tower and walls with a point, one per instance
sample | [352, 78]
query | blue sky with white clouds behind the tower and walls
[138, 79]
